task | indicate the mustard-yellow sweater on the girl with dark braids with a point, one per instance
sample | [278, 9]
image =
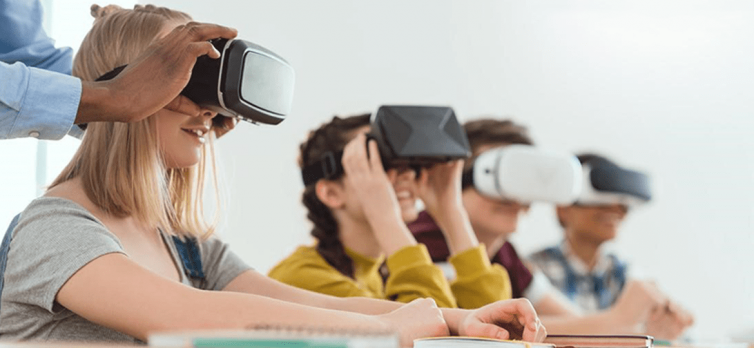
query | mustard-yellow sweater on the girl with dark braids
[412, 276]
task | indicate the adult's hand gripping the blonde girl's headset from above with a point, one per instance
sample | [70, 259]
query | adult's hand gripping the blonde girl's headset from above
[154, 79]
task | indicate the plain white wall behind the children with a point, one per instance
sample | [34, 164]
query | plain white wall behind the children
[663, 87]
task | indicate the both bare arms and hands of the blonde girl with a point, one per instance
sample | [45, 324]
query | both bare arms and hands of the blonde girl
[115, 292]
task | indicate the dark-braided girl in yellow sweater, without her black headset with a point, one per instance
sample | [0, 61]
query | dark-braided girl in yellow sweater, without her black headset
[359, 216]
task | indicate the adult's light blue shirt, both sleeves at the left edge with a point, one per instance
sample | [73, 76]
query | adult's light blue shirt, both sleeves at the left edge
[34, 102]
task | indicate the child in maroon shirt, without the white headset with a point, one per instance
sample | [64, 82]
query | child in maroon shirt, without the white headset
[495, 219]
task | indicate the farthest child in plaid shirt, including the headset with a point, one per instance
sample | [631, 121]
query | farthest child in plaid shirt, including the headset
[591, 278]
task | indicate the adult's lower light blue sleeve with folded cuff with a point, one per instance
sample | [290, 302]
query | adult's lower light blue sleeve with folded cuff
[37, 102]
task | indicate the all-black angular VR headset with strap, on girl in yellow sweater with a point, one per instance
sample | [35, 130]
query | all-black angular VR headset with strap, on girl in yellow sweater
[407, 136]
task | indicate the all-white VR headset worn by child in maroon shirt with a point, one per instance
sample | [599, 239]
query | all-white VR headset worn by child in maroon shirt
[526, 174]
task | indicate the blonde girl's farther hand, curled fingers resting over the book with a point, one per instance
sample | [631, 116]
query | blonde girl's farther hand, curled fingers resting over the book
[505, 320]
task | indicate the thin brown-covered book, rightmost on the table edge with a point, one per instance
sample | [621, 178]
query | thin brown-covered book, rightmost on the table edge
[600, 341]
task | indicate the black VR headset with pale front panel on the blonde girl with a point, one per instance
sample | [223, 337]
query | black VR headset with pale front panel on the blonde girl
[248, 82]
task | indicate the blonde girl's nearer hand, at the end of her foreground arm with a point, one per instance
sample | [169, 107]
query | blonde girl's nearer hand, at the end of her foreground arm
[419, 319]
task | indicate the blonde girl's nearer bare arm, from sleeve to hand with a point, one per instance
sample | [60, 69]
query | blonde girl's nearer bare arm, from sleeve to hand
[117, 293]
